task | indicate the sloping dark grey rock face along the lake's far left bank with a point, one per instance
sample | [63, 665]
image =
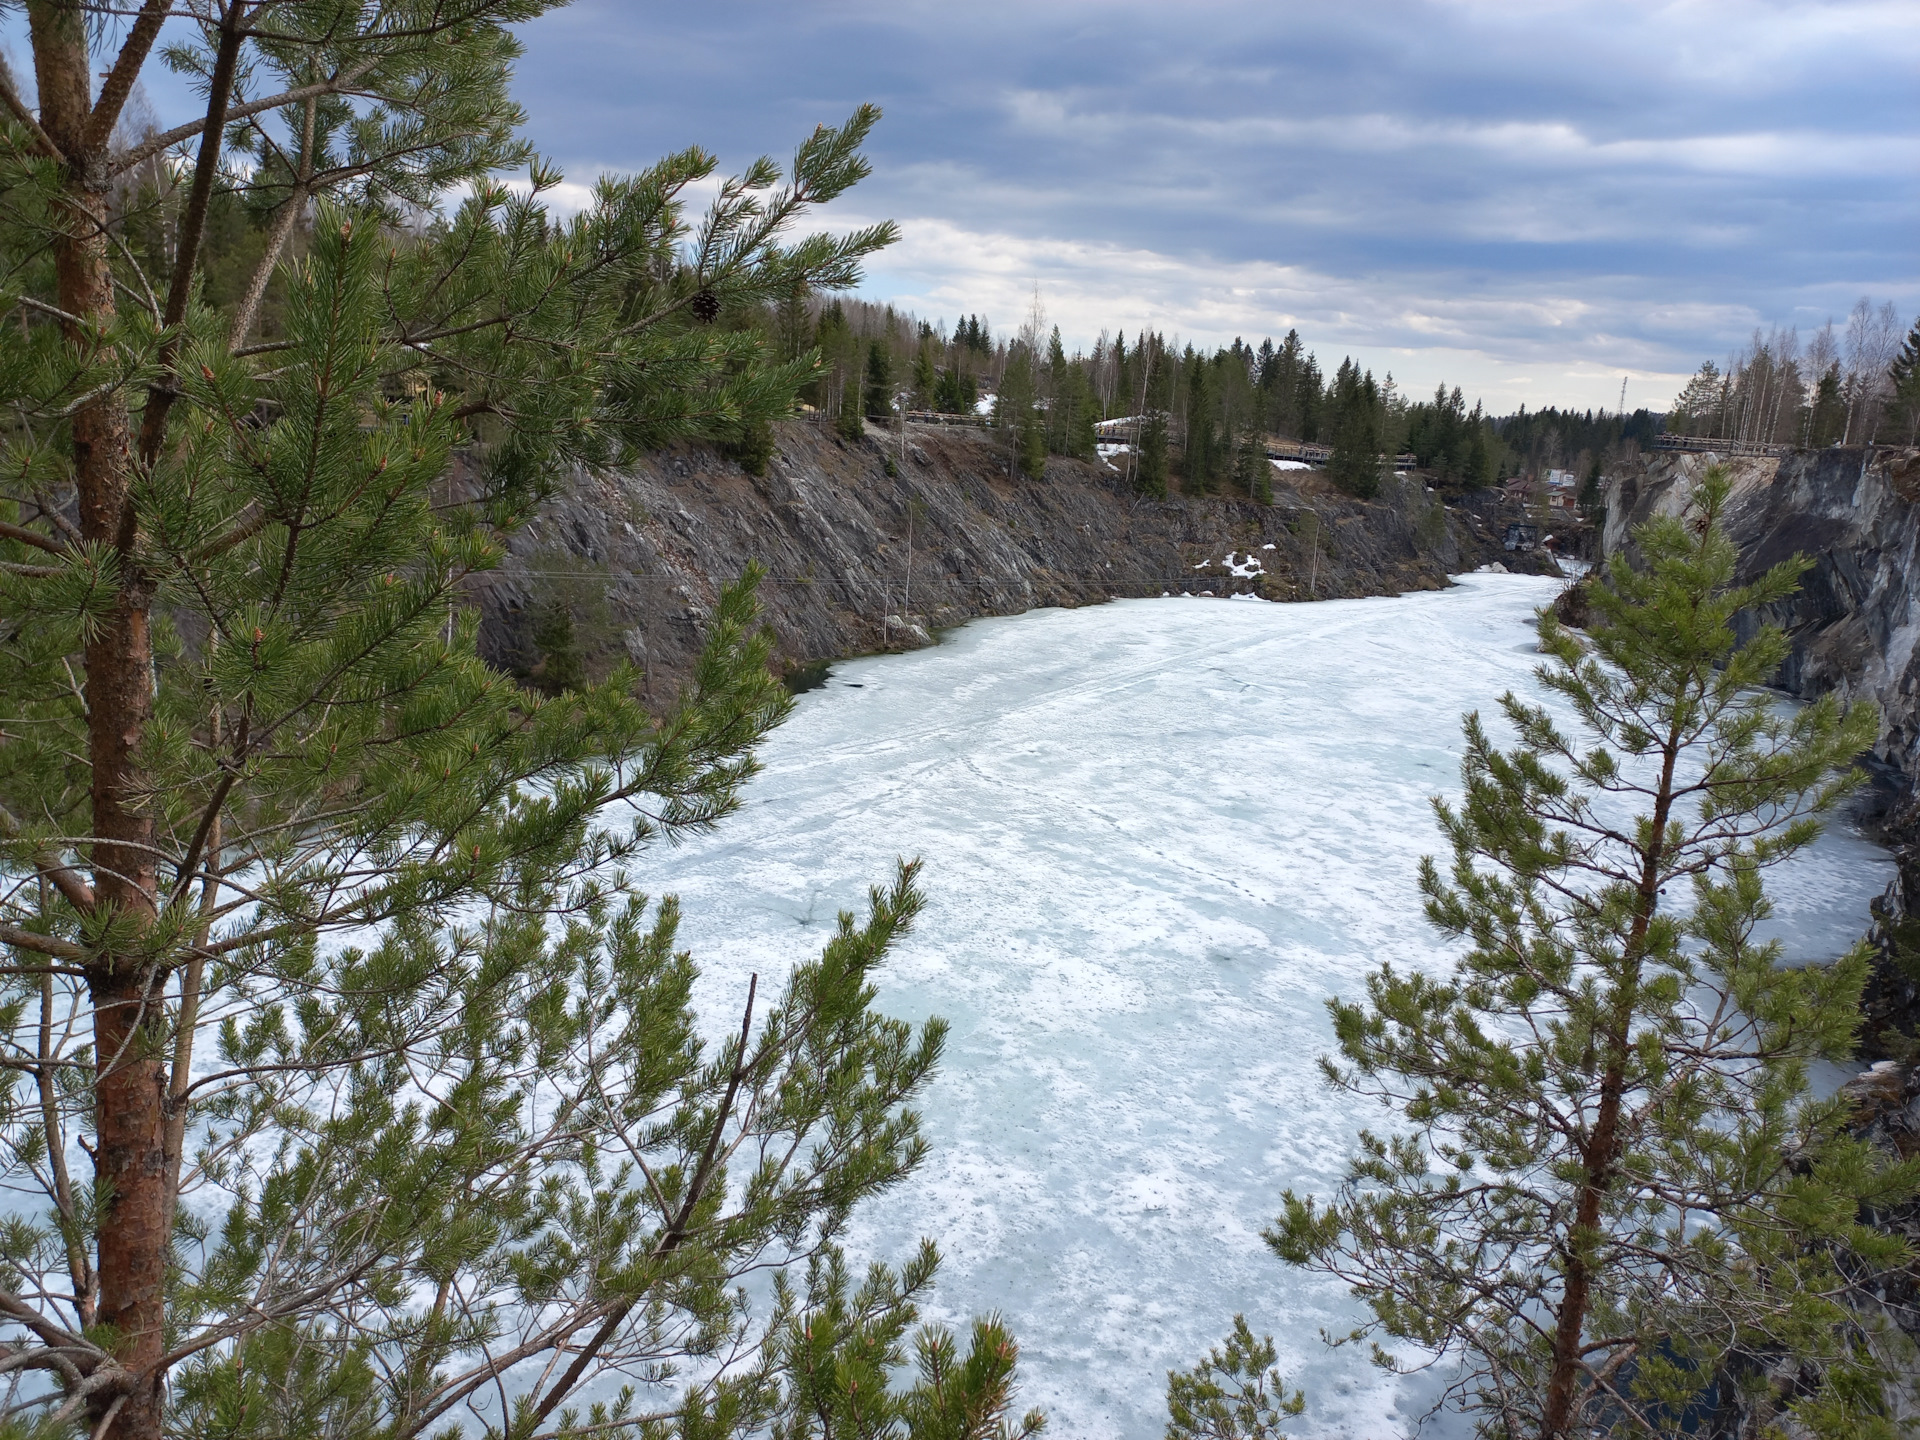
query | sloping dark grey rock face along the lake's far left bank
[882, 542]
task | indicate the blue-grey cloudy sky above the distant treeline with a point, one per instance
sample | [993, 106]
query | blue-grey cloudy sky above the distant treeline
[1533, 201]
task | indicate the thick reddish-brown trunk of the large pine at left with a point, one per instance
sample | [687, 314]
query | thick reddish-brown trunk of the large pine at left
[124, 982]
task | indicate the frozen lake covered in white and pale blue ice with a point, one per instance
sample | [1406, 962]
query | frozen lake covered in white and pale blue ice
[1159, 836]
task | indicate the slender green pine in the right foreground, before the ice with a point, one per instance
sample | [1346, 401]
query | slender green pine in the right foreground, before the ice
[1618, 1182]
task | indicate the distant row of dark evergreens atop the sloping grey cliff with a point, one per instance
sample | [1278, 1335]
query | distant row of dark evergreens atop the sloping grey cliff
[1203, 416]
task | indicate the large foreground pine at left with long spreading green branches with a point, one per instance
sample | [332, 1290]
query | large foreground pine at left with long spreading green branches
[360, 1086]
